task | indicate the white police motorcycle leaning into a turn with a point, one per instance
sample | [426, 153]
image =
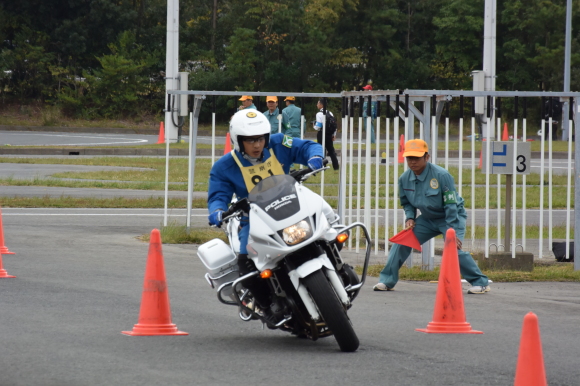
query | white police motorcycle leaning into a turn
[295, 242]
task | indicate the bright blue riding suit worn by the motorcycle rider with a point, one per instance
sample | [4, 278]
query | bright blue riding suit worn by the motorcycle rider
[225, 177]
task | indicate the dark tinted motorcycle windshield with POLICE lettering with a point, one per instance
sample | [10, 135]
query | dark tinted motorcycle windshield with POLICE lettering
[276, 195]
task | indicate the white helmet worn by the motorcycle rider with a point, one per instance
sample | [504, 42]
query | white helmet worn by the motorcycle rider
[248, 123]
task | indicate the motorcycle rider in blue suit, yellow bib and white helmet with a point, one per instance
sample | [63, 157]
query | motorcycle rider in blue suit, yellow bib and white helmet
[256, 155]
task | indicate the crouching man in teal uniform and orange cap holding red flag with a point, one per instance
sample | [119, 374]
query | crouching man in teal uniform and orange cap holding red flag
[431, 189]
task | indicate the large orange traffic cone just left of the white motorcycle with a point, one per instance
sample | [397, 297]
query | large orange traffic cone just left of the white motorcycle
[155, 313]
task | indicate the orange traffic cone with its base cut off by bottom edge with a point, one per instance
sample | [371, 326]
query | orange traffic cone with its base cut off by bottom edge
[530, 368]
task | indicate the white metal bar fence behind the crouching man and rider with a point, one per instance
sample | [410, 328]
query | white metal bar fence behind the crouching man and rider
[365, 194]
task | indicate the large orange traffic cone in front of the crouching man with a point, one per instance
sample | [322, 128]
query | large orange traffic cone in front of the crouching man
[449, 313]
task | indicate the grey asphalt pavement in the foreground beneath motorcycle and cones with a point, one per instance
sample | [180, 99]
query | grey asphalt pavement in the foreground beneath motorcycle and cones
[79, 281]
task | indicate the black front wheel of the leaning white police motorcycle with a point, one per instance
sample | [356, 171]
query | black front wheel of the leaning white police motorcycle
[332, 311]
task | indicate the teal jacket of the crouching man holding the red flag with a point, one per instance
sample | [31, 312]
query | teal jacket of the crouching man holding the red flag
[433, 193]
